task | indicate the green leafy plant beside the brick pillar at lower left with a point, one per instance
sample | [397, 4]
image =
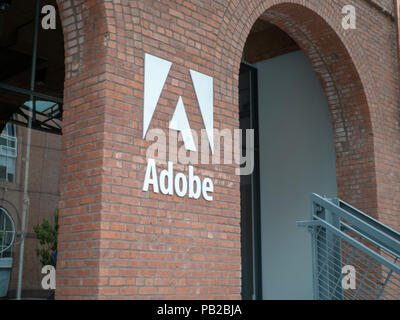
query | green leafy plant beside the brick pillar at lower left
[47, 235]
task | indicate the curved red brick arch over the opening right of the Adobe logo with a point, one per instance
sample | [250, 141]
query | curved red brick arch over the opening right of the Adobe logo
[344, 89]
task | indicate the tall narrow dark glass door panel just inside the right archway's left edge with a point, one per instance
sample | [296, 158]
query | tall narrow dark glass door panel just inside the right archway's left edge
[250, 188]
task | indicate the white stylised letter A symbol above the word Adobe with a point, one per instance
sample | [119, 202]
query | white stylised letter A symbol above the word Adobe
[156, 71]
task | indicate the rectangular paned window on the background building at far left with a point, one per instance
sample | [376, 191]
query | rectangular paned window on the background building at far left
[8, 153]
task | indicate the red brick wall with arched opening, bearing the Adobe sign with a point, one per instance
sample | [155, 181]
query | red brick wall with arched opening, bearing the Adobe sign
[119, 242]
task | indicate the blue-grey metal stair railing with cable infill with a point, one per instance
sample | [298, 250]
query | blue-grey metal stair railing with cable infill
[355, 257]
